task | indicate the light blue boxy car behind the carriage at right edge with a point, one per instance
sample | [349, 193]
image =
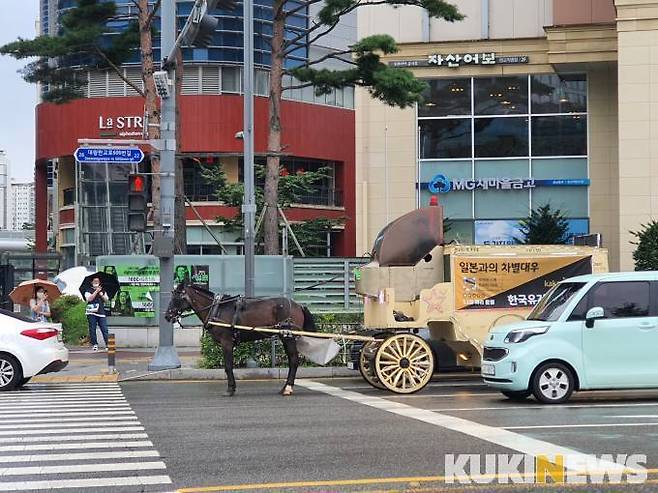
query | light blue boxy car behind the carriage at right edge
[588, 332]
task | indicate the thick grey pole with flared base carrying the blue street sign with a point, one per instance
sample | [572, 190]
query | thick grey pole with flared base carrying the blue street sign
[166, 357]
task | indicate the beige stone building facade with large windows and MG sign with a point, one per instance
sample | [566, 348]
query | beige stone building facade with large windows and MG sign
[529, 102]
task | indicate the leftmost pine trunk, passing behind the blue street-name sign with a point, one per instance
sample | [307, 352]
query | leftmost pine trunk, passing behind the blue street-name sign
[151, 106]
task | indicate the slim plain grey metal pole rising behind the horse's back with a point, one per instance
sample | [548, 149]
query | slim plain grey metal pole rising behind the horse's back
[249, 203]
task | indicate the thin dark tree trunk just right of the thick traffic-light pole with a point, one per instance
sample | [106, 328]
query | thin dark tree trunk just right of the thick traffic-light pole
[180, 224]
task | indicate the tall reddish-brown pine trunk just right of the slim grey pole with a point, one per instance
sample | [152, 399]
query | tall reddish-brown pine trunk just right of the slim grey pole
[271, 221]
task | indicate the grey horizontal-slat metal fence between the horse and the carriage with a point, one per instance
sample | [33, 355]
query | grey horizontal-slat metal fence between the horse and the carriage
[327, 284]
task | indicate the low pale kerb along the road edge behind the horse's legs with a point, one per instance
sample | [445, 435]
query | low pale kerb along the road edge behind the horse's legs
[240, 374]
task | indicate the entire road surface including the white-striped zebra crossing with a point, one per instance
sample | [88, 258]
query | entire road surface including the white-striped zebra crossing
[333, 435]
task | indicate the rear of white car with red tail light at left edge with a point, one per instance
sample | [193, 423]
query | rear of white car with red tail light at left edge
[28, 348]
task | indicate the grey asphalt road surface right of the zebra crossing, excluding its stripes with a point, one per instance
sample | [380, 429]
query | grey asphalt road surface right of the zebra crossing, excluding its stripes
[341, 435]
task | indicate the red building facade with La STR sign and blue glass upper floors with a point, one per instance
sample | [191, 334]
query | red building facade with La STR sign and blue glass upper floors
[90, 201]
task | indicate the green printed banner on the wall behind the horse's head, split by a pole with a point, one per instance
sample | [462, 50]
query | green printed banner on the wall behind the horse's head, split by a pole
[137, 283]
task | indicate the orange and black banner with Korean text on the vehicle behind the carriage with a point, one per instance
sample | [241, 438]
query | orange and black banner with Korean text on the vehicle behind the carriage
[511, 282]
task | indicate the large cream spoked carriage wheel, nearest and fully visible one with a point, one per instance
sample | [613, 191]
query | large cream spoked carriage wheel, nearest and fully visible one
[404, 363]
